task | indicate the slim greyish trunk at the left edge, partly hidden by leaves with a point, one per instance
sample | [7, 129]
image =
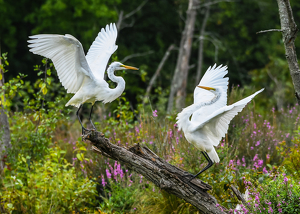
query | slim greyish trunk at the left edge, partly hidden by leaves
[4, 126]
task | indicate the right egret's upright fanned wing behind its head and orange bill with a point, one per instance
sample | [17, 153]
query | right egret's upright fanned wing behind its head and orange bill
[213, 77]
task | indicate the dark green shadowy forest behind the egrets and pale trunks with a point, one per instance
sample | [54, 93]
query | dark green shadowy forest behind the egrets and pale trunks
[229, 38]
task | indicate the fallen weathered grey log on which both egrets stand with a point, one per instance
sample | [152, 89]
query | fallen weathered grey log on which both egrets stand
[164, 175]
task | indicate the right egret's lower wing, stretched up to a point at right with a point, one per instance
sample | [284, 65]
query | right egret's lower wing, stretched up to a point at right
[216, 125]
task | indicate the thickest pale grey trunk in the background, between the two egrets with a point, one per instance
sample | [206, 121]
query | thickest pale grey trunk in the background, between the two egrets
[179, 81]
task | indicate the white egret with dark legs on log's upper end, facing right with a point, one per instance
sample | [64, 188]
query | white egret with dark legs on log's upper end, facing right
[80, 74]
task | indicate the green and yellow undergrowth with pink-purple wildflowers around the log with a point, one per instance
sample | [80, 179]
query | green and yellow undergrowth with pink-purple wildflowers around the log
[51, 170]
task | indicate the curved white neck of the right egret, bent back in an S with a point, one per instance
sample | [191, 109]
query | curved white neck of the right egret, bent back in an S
[183, 118]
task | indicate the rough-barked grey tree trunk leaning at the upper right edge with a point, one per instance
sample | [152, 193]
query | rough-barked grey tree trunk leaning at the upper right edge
[289, 32]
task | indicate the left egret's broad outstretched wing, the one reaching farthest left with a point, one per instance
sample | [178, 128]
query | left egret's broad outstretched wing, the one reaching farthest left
[67, 55]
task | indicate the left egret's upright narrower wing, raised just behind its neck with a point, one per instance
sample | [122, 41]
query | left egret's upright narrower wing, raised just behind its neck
[101, 50]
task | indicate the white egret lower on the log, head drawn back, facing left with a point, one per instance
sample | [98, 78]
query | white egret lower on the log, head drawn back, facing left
[205, 122]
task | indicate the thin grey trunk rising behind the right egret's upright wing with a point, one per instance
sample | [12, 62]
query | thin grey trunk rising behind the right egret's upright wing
[200, 49]
